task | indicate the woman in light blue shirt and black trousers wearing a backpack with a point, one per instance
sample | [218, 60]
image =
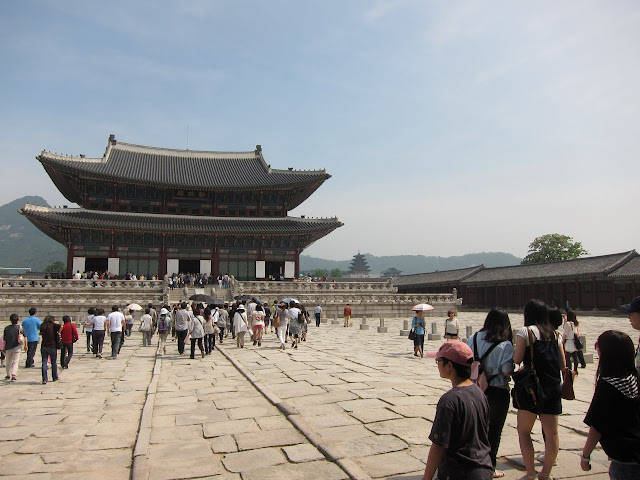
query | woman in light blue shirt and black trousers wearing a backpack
[492, 347]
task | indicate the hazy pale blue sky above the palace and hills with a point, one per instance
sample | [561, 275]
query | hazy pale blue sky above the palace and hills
[449, 127]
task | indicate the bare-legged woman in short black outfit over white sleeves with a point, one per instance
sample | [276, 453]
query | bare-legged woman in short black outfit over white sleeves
[548, 360]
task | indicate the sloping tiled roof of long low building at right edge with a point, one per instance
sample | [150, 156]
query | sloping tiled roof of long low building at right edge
[590, 266]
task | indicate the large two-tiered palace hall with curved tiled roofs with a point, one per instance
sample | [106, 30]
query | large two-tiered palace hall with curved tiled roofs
[157, 211]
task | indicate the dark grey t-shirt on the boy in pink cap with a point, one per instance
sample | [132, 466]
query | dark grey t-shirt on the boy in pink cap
[461, 426]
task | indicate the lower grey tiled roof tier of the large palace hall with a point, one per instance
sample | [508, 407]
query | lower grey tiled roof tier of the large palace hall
[143, 222]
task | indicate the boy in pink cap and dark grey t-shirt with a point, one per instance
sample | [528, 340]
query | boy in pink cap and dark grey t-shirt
[460, 432]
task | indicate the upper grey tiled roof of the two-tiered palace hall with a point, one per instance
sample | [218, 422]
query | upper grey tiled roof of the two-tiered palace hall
[182, 168]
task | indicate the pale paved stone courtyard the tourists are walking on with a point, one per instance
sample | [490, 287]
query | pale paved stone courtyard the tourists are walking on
[348, 403]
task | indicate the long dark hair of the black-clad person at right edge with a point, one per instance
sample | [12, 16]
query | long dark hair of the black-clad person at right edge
[617, 355]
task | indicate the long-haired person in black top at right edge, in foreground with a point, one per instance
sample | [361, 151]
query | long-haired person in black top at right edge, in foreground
[614, 414]
